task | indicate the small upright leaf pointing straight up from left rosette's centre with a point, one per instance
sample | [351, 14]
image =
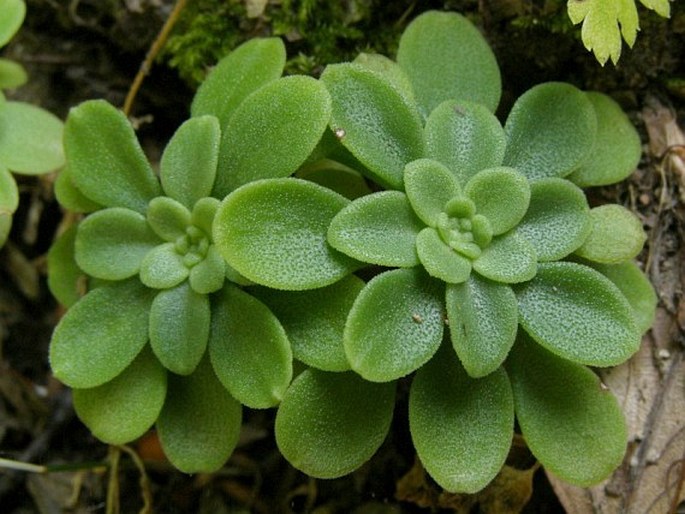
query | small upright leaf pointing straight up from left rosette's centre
[188, 164]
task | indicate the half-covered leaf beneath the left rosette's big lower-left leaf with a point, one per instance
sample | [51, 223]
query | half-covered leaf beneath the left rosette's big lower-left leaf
[124, 408]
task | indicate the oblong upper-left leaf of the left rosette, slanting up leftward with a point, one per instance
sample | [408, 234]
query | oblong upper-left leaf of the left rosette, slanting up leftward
[106, 161]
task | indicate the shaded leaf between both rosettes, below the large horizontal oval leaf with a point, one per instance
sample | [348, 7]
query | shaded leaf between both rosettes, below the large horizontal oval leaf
[314, 320]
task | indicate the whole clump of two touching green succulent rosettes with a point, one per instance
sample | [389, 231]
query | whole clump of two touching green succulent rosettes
[494, 284]
